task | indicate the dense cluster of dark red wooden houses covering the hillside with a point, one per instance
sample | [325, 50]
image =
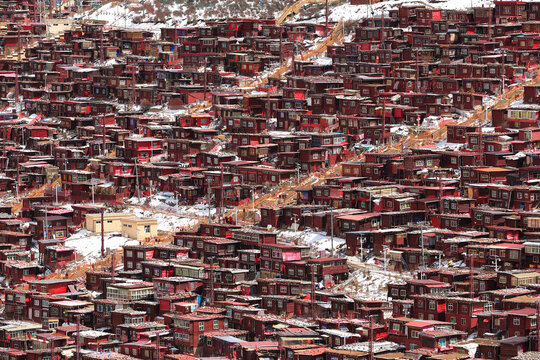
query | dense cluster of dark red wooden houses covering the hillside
[105, 114]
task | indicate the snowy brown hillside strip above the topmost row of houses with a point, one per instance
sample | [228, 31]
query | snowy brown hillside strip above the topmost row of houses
[154, 14]
